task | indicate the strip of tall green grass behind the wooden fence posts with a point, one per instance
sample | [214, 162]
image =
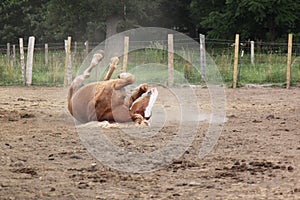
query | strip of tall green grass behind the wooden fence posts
[150, 65]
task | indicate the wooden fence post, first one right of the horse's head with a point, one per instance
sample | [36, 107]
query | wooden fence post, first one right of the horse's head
[170, 60]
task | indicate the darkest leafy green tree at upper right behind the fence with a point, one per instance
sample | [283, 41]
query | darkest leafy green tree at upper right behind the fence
[271, 18]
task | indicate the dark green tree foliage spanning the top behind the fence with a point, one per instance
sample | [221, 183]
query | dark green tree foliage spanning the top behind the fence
[94, 20]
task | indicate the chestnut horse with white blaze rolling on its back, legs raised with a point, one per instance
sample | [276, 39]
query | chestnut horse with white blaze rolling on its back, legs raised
[107, 100]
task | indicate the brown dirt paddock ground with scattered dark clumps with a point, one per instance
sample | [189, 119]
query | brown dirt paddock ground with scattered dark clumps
[257, 155]
